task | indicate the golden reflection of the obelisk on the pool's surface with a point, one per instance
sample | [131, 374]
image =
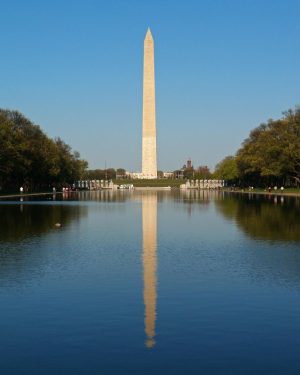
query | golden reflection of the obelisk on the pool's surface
[149, 218]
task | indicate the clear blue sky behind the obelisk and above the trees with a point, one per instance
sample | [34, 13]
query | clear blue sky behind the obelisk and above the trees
[222, 68]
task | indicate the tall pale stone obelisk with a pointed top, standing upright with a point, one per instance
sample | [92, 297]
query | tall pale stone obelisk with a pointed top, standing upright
[149, 164]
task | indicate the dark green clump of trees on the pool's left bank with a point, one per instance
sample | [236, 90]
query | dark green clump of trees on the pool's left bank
[29, 158]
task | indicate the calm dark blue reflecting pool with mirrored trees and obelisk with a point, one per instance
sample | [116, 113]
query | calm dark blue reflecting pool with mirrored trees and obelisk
[152, 282]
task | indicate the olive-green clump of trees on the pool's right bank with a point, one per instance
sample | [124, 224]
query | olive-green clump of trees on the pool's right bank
[269, 156]
